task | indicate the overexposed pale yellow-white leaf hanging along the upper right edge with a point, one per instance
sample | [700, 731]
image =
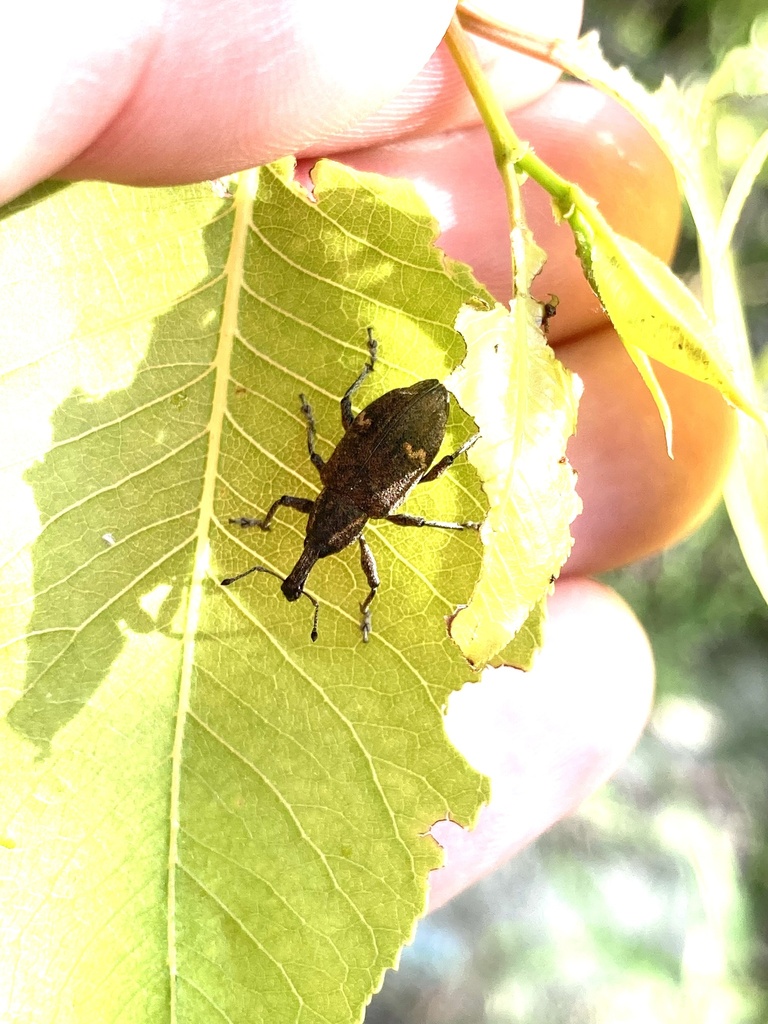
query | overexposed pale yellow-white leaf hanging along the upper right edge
[685, 122]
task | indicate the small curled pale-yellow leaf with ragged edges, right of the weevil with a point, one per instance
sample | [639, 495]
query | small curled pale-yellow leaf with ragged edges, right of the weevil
[525, 402]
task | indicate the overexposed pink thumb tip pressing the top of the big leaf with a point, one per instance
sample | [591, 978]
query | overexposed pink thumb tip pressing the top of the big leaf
[232, 86]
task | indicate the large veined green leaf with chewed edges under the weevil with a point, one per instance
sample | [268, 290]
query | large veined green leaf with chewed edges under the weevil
[206, 817]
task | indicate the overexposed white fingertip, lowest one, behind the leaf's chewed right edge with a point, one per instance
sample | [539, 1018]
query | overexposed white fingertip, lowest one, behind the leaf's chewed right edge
[550, 738]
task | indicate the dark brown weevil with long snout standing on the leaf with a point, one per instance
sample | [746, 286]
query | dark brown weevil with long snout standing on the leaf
[387, 451]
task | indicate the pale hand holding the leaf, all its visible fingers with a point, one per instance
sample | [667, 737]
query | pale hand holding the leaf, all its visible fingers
[166, 94]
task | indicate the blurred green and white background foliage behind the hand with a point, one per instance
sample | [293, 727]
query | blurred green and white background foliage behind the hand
[651, 905]
